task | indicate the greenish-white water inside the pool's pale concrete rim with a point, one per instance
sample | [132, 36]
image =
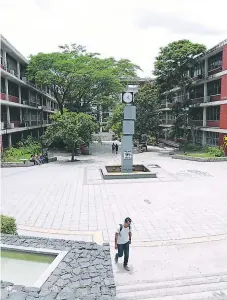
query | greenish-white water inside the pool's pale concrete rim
[23, 268]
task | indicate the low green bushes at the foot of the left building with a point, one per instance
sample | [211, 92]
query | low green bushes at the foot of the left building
[24, 149]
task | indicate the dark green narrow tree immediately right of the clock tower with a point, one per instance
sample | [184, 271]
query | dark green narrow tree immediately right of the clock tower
[147, 116]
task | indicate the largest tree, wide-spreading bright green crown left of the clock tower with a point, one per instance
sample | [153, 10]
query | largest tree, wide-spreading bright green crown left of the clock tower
[79, 79]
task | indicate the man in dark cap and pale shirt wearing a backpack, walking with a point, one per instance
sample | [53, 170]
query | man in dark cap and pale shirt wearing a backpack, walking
[123, 237]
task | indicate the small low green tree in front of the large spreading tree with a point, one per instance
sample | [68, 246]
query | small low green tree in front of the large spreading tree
[72, 128]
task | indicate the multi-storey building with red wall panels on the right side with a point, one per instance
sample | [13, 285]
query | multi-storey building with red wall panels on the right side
[208, 98]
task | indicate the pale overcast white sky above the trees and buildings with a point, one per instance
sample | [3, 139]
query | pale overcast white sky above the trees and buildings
[133, 29]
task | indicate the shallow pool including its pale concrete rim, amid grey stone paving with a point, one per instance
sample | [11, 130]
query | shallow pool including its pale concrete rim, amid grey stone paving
[27, 265]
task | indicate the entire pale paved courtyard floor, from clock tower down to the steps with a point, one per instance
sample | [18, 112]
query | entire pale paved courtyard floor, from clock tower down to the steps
[182, 212]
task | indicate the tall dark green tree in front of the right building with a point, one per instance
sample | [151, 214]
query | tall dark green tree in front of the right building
[173, 68]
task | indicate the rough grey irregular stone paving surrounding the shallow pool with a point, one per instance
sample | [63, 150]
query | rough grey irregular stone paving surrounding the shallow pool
[85, 273]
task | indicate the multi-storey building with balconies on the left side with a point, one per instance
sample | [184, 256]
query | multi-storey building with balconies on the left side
[25, 107]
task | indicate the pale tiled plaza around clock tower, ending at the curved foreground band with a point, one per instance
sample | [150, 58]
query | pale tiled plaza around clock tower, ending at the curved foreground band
[186, 200]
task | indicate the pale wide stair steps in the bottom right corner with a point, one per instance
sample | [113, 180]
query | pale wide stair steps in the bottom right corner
[169, 288]
